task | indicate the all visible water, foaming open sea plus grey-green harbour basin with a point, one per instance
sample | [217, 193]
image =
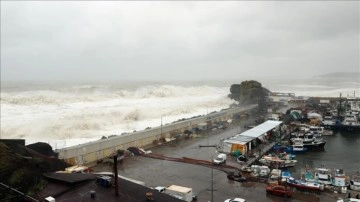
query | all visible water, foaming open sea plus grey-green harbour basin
[64, 114]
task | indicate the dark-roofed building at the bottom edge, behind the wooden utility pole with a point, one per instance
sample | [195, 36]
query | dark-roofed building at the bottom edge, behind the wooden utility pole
[91, 187]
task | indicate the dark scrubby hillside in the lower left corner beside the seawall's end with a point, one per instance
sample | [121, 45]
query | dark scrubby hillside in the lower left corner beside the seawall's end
[22, 168]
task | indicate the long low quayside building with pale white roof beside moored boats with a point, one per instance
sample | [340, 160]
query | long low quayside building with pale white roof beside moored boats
[242, 139]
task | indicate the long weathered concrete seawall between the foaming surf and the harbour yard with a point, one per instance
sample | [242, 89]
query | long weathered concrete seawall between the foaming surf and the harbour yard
[92, 152]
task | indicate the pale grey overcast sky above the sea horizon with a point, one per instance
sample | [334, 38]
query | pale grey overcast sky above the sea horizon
[165, 40]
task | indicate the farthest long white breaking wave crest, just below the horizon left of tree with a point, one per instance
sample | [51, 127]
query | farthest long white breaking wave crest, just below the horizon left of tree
[101, 93]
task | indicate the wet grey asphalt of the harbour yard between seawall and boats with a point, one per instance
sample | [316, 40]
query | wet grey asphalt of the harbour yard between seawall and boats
[155, 172]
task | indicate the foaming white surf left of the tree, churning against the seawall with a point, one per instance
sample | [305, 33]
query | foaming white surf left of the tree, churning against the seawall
[78, 114]
